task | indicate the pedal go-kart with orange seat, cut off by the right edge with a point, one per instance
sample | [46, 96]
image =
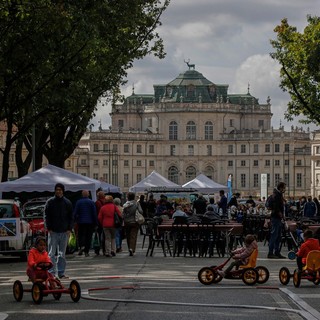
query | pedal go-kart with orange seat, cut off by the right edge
[311, 271]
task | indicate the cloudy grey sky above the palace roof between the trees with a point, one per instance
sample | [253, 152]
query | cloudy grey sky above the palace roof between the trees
[229, 43]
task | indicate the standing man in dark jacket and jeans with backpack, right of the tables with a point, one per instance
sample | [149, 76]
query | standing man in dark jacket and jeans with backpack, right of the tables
[276, 204]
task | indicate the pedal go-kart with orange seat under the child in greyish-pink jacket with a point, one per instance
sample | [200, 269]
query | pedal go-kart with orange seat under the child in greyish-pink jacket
[249, 273]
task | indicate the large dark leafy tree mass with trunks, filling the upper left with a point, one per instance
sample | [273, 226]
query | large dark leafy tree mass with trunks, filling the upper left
[57, 57]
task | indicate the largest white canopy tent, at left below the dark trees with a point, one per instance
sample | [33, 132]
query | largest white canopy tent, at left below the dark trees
[45, 179]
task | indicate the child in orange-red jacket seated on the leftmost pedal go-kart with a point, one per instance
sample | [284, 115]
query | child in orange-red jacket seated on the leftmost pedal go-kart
[36, 255]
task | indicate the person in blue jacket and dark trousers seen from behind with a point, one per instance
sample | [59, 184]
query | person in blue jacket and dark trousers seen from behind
[85, 215]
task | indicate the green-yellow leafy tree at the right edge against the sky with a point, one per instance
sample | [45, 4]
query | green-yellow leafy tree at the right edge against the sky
[299, 57]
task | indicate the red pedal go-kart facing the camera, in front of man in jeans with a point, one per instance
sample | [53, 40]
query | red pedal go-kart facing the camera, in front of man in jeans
[42, 288]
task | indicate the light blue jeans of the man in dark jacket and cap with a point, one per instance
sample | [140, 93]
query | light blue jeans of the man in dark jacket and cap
[57, 245]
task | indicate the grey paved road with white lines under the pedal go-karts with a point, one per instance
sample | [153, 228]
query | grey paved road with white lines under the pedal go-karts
[155, 287]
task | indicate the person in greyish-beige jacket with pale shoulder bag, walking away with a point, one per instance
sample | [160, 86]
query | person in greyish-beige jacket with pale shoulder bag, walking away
[130, 224]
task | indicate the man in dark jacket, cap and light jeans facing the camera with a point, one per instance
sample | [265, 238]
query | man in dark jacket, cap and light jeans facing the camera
[59, 223]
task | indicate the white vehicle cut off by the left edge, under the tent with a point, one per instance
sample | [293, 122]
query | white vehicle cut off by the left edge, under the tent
[15, 231]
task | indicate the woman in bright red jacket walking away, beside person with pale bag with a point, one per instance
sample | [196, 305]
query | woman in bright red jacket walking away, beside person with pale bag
[106, 219]
